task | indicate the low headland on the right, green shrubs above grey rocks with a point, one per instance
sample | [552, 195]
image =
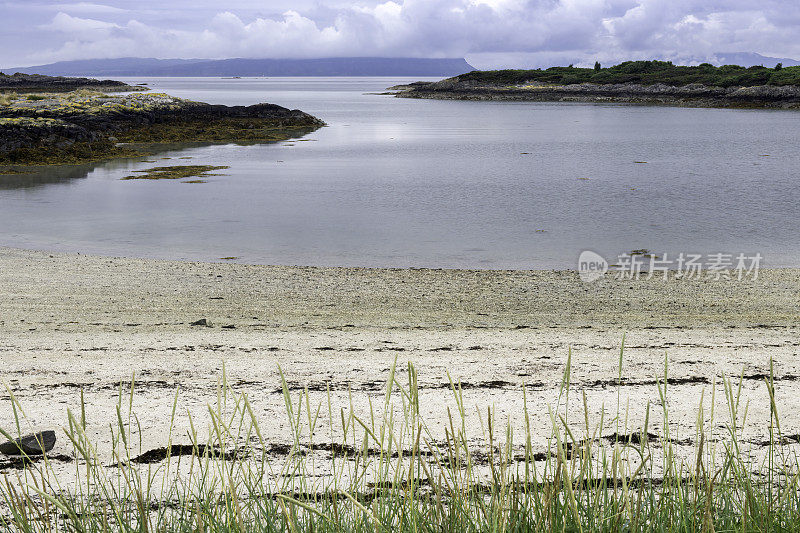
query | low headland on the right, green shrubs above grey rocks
[631, 82]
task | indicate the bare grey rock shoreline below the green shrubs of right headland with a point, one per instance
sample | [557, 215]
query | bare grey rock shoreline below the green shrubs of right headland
[691, 95]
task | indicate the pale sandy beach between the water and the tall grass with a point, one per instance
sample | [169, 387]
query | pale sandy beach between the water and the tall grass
[72, 322]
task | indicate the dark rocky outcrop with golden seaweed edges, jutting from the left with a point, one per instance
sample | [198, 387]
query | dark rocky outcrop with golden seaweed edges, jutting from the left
[43, 127]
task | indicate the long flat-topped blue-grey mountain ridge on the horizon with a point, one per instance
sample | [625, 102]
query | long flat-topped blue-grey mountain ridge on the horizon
[334, 66]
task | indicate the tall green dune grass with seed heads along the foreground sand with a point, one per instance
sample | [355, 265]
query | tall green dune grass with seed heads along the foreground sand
[391, 471]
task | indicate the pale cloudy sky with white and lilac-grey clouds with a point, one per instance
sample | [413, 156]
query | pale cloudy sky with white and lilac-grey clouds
[489, 33]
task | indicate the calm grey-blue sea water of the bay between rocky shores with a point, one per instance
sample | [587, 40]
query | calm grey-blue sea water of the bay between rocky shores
[398, 182]
